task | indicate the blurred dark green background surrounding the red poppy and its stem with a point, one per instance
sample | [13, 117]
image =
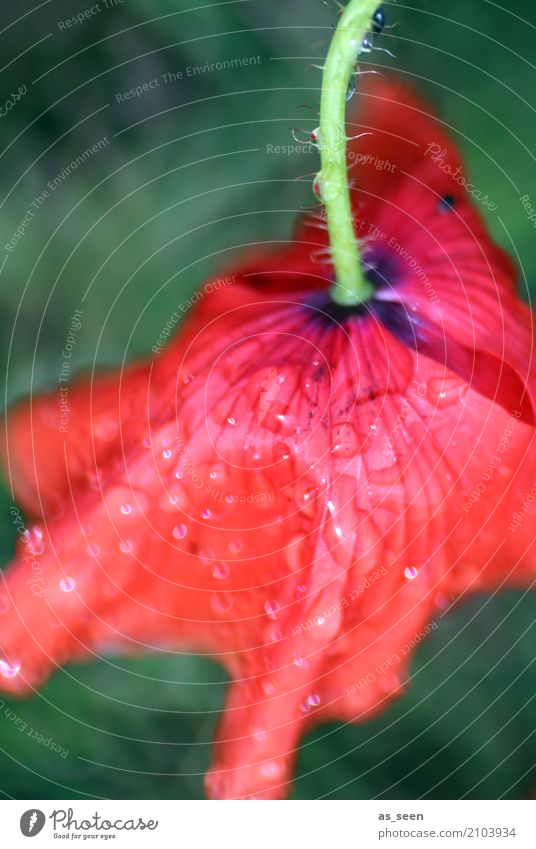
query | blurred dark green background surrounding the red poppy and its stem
[184, 180]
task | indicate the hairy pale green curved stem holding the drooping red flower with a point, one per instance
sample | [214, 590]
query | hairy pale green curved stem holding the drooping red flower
[351, 286]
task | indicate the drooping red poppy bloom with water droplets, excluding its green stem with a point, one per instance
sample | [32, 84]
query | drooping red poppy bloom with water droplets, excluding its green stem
[293, 486]
